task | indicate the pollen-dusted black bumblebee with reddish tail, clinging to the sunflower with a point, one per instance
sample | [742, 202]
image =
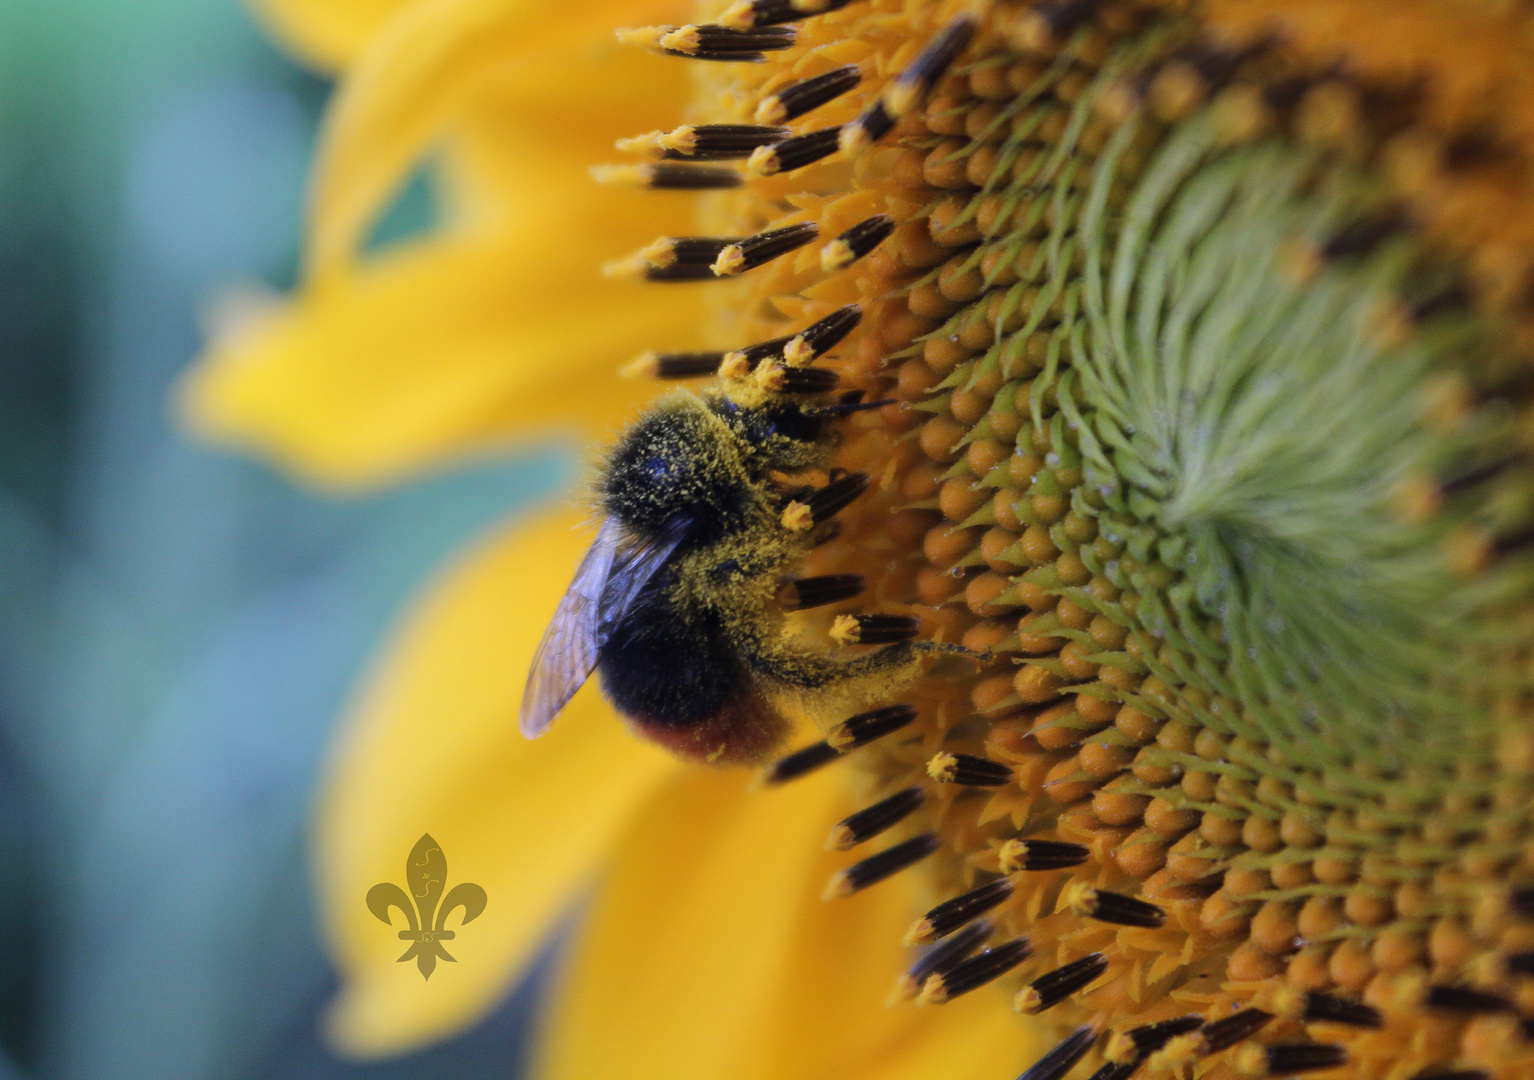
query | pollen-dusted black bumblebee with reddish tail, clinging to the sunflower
[682, 601]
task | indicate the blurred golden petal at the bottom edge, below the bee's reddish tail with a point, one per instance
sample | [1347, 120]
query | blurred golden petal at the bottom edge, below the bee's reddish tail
[732, 967]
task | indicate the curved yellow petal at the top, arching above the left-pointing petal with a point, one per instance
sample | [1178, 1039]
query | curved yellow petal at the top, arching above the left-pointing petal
[435, 62]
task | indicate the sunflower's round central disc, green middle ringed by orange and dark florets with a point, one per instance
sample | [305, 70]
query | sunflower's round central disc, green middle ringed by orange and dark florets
[1222, 466]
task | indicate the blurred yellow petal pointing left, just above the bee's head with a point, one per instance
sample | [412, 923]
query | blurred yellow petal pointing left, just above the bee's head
[363, 383]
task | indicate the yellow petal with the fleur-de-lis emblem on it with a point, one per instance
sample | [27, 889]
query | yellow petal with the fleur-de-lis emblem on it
[433, 748]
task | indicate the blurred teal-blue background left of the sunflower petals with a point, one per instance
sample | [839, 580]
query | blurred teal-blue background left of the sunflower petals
[179, 628]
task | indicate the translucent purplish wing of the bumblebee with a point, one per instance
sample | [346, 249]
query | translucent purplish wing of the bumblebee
[605, 588]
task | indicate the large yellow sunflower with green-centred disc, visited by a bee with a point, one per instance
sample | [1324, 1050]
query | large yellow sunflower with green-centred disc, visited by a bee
[1190, 363]
